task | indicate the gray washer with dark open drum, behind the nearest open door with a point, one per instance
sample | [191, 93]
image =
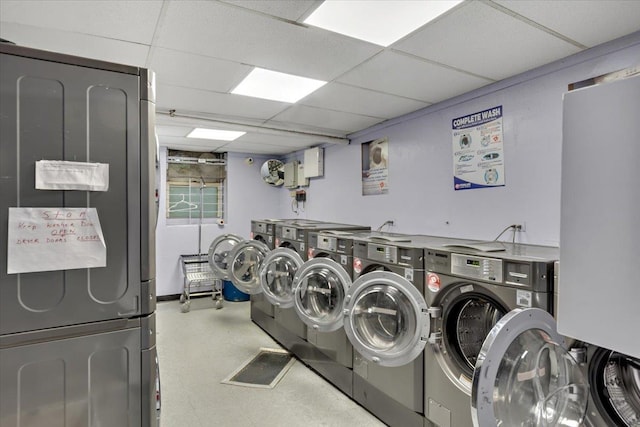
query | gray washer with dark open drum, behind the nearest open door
[469, 288]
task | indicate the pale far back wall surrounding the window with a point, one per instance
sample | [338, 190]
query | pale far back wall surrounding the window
[248, 197]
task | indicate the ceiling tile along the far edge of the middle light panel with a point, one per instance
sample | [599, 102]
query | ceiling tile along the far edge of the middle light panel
[232, 106]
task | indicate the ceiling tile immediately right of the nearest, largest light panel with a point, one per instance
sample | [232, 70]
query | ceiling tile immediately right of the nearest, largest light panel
[485, 41]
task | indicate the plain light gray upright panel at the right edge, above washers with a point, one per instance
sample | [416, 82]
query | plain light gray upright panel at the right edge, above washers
[599, 247]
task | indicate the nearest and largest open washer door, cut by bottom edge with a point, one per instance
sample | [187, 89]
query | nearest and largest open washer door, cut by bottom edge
[525, 377]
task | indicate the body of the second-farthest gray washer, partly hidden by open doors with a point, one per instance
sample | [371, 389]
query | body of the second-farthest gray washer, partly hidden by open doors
[294, 235]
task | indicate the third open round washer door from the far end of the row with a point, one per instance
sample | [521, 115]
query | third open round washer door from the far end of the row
[276, 276]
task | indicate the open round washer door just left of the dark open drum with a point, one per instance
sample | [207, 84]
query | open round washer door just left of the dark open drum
[386, 318]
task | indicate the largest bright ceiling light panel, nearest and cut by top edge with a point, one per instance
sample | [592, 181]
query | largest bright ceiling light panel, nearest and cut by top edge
[381, 22]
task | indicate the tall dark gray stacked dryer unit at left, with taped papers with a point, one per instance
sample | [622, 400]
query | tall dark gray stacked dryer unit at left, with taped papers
[77, 346]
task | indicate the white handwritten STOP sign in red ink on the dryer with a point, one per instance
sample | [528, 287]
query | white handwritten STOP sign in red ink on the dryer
[48, 239]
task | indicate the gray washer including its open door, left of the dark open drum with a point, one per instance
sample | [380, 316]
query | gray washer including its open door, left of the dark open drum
[387, 323]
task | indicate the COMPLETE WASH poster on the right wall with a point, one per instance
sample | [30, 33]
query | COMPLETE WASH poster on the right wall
[478, 150]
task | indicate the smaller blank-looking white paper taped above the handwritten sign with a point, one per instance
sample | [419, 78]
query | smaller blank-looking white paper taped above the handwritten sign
[64, 175]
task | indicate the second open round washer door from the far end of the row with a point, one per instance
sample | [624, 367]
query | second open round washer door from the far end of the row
[244, 265]
